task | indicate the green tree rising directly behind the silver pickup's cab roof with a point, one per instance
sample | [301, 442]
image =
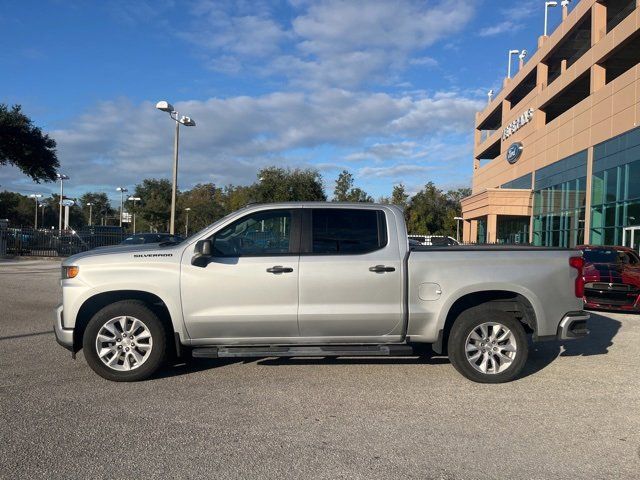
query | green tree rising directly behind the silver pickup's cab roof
[277, 184]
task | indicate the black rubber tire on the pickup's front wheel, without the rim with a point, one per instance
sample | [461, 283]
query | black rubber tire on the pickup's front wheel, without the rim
[129, 308]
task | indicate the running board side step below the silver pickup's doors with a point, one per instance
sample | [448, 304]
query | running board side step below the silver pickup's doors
[304, 351]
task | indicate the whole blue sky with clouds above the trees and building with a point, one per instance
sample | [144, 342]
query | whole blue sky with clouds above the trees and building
[385, 89]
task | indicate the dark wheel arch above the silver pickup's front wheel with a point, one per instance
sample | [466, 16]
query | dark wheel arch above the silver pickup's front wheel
[95, 303]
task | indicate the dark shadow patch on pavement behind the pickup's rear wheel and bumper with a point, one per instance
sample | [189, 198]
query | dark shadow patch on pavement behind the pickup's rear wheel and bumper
[603, 329]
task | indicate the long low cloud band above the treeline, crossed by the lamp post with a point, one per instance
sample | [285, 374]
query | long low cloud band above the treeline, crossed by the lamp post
[236, 136]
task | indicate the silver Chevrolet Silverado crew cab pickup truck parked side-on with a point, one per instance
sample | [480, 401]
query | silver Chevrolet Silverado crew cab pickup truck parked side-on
[316, 279]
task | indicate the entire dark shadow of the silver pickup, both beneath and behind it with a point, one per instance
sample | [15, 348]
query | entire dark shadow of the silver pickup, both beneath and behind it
[603, 330]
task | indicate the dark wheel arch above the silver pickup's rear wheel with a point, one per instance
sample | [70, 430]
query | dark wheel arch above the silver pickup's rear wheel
[515, 303]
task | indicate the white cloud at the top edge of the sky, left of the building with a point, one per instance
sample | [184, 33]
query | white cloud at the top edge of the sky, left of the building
[332, 43]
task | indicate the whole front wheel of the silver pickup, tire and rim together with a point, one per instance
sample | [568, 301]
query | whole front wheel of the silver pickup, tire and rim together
[125, 342]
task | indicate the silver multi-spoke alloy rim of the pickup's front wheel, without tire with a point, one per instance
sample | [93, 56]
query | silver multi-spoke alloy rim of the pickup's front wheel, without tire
[124, 343]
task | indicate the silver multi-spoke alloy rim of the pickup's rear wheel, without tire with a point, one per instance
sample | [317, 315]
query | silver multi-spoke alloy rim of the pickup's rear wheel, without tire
[491, 348]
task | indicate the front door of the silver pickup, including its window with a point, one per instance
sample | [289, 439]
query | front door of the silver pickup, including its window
[249, 286]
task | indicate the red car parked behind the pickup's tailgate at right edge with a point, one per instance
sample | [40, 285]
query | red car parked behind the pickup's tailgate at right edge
[612, 278]
